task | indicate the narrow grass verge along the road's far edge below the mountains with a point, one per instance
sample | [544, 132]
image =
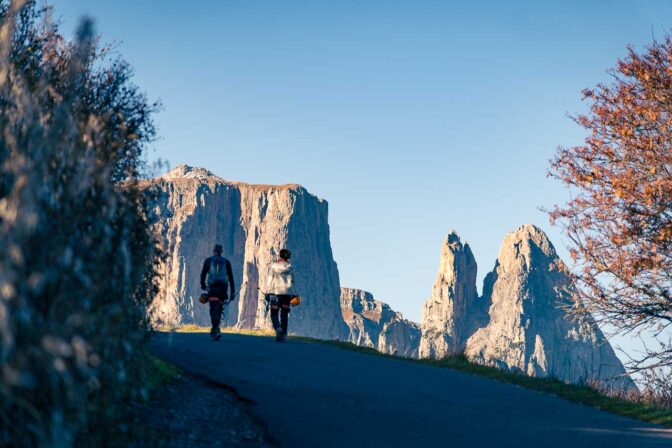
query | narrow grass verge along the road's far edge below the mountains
[581, 394]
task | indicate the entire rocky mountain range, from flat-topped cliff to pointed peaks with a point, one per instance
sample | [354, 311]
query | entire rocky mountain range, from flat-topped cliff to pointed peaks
[519, 323]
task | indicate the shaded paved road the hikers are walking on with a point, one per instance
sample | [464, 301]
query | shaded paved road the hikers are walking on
[312, 395]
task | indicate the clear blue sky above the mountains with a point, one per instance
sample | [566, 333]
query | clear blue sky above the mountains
[410, 117]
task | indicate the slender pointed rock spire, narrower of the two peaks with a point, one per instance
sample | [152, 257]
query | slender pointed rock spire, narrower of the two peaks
[454, 310]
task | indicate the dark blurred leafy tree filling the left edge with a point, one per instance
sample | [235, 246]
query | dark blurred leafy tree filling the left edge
[77, 254]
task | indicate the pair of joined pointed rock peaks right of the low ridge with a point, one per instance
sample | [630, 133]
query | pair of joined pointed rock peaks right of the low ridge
[520, 323]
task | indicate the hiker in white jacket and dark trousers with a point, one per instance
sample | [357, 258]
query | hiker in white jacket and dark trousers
[280, 290]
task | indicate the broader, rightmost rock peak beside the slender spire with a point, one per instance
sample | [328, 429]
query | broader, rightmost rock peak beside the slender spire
[529, 330]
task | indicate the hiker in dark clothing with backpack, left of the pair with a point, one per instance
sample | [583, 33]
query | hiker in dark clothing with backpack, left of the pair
[216, 276]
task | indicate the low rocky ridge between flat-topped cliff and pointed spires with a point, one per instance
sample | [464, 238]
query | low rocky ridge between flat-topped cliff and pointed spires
[374, 324]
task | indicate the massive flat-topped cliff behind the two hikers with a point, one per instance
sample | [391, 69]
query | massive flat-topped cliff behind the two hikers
[196, 209]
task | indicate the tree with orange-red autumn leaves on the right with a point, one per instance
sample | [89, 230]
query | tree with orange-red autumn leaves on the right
[619, 221]
